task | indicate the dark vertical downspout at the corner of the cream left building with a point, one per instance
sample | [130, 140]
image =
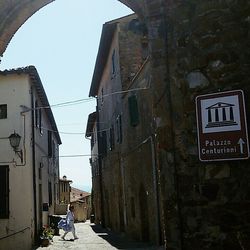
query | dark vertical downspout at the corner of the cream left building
[34, 161]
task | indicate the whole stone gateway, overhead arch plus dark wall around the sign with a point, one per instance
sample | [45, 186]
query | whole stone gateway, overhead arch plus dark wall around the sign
[195, 47]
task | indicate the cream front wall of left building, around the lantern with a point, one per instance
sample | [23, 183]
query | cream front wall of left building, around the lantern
[14, 91]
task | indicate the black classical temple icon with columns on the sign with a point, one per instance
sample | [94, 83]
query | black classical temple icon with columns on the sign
[220, 114]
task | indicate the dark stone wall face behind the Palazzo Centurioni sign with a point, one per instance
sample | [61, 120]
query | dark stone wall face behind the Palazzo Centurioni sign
[208, 44]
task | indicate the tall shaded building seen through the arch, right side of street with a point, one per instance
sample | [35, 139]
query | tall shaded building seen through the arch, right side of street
[127, 197]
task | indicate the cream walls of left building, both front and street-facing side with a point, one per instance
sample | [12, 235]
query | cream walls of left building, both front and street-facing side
[15, 90]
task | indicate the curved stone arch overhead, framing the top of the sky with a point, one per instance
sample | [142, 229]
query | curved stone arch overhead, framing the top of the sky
[13, 15]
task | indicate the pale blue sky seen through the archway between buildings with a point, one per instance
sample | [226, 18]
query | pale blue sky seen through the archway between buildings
[61, 40]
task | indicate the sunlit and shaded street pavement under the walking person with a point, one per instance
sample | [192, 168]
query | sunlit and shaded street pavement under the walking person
[93, 236]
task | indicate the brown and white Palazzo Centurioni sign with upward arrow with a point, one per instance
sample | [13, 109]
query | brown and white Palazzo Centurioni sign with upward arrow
[222, 127]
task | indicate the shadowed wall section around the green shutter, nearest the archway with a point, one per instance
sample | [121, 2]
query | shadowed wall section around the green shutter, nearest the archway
[138, 163]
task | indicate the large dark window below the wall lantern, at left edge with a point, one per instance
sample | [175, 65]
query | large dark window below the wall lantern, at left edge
[4, 192]
